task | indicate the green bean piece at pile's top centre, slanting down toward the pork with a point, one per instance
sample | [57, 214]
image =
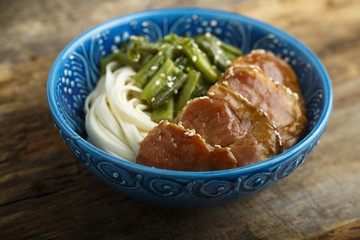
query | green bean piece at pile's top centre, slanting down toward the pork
[200, 61]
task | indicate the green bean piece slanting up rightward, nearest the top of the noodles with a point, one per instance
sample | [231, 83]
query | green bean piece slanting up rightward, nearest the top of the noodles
[158, 81]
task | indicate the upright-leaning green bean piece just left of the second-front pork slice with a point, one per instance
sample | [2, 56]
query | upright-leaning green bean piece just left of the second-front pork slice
[188, 90]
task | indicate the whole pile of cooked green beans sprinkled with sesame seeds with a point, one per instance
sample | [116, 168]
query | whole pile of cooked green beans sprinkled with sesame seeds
[174, 69]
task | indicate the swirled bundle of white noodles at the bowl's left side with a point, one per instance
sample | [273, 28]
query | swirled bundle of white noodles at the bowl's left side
[116, 120]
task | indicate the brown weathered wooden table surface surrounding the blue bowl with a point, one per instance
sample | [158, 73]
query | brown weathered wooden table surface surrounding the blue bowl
[45, 193]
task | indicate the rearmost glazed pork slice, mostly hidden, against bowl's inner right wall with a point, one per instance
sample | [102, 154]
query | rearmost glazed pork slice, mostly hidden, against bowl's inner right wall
[273, 67]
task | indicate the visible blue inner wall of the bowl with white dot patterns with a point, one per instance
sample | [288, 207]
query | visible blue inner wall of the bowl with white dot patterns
[75, 72]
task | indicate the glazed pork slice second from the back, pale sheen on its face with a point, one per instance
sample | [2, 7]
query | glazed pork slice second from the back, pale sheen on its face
[280, 104]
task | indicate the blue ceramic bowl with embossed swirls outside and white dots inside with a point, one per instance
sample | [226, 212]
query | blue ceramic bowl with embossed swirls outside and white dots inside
[74, 74]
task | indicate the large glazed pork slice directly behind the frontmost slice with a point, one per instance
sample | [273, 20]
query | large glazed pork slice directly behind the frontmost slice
[228, 120]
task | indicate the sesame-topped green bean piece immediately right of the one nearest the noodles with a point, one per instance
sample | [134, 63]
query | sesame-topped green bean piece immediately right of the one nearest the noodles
[173, 85]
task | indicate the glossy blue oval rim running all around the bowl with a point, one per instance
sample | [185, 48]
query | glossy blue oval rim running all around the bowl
[308, 139]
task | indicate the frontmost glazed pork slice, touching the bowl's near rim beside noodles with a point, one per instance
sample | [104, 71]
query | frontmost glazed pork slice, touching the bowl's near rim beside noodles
[171, 146]
